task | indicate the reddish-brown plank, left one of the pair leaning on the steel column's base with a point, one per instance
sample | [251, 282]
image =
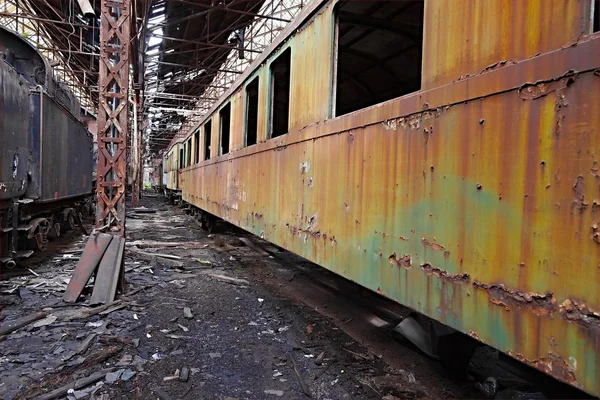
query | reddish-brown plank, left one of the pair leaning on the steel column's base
[92, 254]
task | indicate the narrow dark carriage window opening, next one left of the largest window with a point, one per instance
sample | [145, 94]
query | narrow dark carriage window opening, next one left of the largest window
[280, 94]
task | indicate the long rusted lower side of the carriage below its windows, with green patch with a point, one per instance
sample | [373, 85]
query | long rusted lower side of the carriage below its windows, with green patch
[475, 203]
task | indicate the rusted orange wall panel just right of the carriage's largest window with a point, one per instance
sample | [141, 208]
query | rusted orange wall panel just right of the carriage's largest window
[471, 42]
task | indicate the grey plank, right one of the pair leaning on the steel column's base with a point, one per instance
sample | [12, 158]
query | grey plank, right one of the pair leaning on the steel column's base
[109, 272]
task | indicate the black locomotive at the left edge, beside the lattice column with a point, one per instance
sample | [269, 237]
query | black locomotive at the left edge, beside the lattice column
[46, 159]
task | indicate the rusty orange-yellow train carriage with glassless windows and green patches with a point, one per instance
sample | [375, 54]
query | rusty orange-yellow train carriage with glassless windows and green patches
[471, 193]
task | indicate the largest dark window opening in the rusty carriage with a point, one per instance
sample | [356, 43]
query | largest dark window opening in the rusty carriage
[379, 48]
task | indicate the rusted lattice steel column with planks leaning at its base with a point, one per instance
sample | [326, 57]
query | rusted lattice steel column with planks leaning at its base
[113, 114]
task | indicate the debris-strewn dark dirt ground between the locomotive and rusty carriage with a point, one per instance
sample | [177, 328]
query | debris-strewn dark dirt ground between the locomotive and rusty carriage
[231, 318]
